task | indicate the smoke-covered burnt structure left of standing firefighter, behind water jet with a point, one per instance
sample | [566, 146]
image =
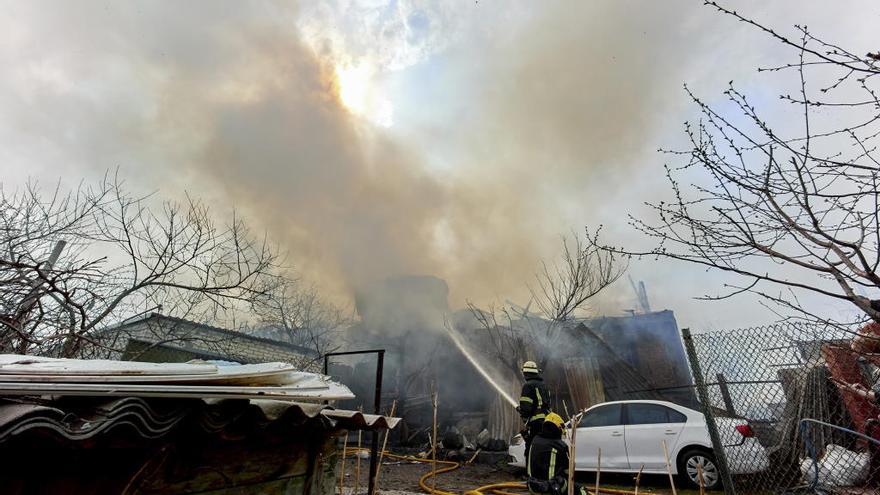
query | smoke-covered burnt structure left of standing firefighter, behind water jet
[405, 316]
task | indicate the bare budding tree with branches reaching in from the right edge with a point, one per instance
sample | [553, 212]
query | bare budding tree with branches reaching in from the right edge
[793, 209]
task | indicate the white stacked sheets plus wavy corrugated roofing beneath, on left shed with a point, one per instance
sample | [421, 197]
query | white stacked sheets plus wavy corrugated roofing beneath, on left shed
[81, 399]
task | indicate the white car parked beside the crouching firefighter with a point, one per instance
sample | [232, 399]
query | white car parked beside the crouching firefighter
[630, 434]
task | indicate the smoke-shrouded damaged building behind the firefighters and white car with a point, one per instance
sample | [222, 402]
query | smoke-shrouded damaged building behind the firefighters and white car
[607, 358]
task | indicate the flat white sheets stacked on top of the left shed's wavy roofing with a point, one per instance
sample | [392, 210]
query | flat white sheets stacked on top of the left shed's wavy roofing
[30, 375]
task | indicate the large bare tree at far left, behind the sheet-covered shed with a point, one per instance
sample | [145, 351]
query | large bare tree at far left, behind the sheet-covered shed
[71, 263]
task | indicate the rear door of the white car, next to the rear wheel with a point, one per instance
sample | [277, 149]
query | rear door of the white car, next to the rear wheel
[647, 426]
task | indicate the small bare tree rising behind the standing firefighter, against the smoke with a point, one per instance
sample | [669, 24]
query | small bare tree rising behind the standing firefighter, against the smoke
[560, 290]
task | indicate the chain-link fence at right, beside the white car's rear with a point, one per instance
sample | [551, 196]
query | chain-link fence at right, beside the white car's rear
[808, 399]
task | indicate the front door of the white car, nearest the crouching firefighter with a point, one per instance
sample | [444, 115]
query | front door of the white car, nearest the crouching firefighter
[601, 427]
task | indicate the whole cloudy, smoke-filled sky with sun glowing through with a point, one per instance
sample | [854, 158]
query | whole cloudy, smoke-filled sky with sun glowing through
[377, 138]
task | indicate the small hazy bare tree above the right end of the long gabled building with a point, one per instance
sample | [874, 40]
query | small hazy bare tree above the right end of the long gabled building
[296, 314]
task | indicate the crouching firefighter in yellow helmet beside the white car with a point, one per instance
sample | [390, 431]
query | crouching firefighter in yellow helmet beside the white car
[547, 461]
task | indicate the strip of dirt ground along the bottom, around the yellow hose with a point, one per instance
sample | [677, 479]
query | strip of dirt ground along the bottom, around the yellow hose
[404, 477]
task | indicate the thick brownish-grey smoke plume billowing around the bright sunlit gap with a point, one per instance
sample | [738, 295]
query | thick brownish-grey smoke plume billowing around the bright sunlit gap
[227, 101]
